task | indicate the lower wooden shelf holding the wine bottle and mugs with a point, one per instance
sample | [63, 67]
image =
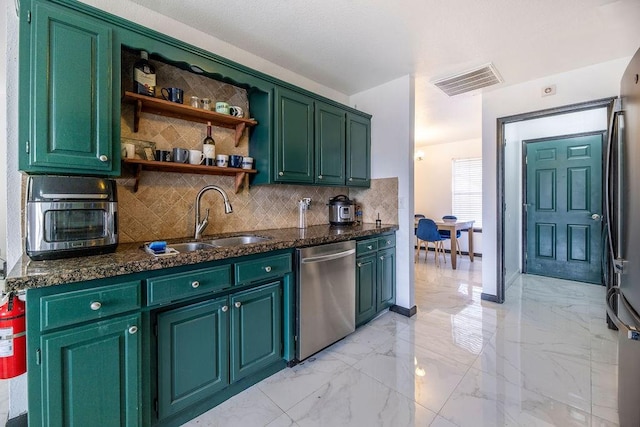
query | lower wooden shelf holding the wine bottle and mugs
[241, 175]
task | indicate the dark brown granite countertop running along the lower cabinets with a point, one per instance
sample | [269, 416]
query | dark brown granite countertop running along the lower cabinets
[131, 257]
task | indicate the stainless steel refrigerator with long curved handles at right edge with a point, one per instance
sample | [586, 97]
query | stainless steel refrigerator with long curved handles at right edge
[623, 230]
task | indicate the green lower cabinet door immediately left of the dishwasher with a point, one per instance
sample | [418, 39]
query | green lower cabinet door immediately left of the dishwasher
[256, 329]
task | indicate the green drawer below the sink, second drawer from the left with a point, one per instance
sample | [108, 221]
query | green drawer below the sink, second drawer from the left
[188, 284]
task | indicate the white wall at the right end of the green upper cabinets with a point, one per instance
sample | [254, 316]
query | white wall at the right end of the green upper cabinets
[392, 126]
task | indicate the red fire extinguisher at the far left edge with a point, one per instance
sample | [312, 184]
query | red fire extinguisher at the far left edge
[13, 340]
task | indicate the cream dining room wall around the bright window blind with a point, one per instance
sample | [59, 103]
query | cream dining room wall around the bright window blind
[432, 180]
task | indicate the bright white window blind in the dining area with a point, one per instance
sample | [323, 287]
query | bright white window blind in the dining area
[467, 190]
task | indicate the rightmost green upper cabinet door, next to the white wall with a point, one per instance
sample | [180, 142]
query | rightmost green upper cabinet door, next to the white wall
[358, 151]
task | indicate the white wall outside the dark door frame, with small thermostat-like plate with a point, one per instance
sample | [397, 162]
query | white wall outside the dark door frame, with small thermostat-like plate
[585, 84]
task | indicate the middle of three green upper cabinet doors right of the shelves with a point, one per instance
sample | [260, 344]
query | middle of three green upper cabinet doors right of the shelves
[329, 144]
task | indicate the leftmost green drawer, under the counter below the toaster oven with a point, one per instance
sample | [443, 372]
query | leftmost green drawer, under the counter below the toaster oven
[88, 304]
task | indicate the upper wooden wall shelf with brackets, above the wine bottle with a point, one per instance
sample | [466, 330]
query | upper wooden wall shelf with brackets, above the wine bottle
[161, 107]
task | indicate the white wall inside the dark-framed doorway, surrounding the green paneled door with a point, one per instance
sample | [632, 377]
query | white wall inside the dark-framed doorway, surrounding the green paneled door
[515, 133]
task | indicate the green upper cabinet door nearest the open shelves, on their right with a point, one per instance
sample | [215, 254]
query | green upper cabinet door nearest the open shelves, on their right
[294, 137]
